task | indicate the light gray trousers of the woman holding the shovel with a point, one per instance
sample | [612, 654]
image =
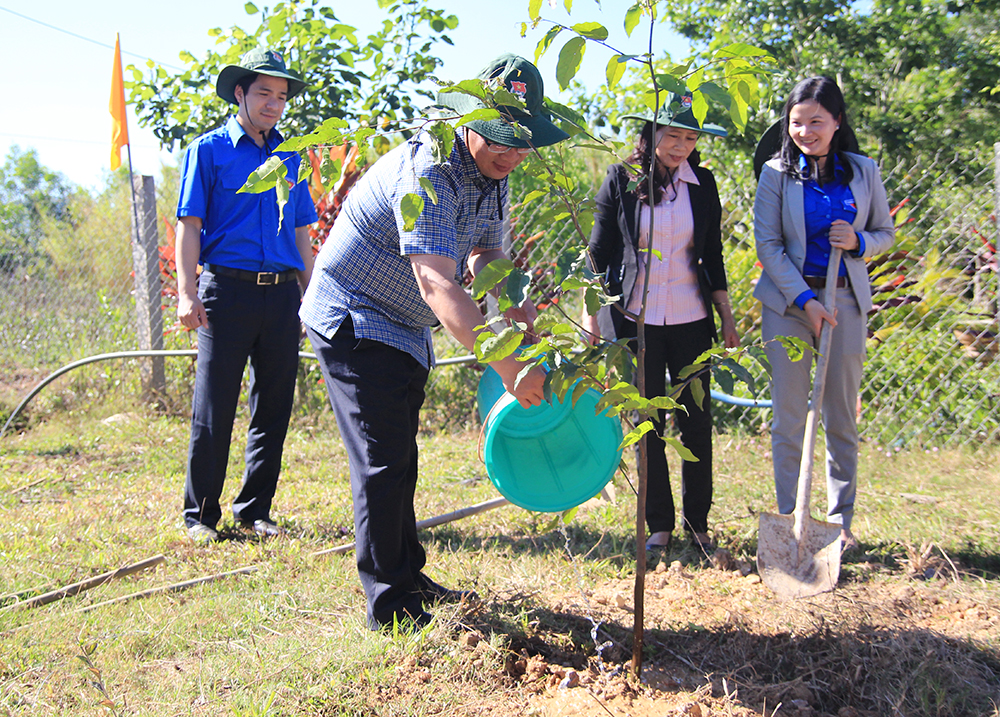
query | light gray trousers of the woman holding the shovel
[791, 384]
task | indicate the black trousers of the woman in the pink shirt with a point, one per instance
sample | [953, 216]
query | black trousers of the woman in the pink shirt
[672, 348]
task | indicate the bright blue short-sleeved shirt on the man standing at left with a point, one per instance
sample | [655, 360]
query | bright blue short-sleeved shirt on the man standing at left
[240, 231]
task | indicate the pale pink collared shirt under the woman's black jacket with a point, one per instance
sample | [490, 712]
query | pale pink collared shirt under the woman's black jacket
[674, 295]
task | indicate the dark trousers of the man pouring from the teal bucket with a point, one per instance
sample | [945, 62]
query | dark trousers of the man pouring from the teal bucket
[376, 392]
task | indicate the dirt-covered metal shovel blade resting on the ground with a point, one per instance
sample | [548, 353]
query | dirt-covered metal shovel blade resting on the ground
[798, 568]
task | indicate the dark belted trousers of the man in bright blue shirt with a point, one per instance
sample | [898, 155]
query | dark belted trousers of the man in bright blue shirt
[245, 321]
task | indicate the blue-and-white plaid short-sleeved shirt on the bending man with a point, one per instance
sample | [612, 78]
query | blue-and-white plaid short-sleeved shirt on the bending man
[363, 269]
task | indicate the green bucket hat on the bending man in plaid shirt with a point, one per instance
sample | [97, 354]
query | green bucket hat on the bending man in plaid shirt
[521, 79]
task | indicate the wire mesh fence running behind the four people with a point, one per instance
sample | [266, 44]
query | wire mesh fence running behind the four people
[931, 376]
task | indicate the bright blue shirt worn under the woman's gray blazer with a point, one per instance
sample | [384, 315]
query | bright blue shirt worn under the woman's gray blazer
[822, 206]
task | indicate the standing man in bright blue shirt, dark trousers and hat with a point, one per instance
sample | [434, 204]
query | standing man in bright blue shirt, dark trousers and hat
[245, 302]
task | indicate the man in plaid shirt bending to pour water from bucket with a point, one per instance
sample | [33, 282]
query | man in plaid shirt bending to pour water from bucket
[377, 291]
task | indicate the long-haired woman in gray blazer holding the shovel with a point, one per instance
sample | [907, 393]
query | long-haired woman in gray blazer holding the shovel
[814, 195]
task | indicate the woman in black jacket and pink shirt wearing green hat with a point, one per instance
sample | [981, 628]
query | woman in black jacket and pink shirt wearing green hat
[687, 279]
